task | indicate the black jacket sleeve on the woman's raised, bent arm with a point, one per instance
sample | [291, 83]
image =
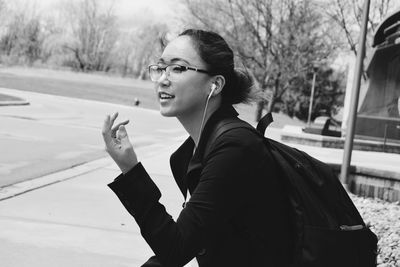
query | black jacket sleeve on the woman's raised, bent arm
[219, 195]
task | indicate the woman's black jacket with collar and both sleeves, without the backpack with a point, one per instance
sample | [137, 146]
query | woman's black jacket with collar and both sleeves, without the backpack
[237, 214]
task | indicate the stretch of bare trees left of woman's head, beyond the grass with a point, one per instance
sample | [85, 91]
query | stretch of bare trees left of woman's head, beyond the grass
[81, 35]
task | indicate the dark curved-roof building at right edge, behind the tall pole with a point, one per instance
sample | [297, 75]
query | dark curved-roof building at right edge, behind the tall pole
[378, 116]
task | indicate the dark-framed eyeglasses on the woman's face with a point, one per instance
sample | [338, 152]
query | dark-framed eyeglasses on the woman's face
[172, 71]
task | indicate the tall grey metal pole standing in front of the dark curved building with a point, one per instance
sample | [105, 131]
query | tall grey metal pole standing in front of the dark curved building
[348, 146]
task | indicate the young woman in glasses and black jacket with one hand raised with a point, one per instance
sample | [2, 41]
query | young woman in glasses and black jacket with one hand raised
[237, 213]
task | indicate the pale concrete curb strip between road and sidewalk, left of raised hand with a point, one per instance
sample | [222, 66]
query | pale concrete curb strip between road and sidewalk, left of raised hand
[60, 176]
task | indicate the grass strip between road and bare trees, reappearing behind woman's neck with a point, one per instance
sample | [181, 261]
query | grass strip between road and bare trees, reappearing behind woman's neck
[101, 87]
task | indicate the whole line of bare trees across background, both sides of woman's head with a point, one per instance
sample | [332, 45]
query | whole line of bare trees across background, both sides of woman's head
[284, 43]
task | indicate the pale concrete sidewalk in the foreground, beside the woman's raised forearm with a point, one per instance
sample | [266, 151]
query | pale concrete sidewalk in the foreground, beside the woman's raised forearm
[76, 220]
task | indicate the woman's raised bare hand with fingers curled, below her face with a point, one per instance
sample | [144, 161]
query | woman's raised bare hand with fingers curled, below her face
[117, 143]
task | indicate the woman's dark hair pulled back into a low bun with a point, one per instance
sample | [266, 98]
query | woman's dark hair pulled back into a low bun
[218, 56]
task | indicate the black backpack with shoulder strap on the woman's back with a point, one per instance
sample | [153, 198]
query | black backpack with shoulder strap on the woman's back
[329, 230]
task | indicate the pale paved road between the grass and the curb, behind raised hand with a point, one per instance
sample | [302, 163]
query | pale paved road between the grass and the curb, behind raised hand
[55, 133]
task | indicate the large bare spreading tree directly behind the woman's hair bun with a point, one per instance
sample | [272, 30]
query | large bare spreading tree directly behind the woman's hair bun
[279, 40]
